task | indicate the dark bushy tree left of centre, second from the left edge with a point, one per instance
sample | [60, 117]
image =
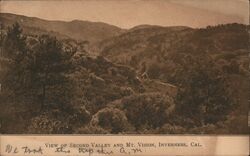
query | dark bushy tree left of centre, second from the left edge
[49, 68]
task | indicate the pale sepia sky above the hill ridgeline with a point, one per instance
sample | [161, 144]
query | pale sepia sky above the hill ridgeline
[130, 13]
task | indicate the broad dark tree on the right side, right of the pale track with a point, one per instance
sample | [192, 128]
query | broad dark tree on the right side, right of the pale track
[202, 94]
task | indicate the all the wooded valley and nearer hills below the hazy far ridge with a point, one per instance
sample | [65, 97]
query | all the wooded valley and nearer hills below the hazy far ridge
[148, 80]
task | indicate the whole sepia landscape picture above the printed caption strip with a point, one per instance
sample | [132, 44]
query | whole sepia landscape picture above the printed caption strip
[127, 67]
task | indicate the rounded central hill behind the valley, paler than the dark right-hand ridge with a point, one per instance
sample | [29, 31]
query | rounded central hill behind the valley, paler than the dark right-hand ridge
[142, 43]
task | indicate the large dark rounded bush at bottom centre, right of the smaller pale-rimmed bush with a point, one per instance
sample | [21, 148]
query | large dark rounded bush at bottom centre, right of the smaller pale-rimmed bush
[148, 109]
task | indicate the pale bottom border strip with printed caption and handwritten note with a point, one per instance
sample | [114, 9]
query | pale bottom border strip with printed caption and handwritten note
[121, 145]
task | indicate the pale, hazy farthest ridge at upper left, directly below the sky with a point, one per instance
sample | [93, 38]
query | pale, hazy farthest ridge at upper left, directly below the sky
[76, 29]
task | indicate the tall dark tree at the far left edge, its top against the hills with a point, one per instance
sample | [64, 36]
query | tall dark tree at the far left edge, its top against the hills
[14, 58]
